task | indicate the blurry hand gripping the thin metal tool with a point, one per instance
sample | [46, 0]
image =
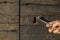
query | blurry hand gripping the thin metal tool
[54, 28]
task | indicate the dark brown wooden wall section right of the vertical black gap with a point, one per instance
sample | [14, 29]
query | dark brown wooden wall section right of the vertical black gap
[50, 9]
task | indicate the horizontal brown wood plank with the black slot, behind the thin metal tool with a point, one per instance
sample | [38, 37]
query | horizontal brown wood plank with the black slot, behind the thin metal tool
[28, 20]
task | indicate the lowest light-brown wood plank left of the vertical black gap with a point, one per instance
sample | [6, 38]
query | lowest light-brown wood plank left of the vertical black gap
[9, 36]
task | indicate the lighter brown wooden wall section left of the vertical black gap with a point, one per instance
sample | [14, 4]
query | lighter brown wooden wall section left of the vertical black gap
[9, 10]
